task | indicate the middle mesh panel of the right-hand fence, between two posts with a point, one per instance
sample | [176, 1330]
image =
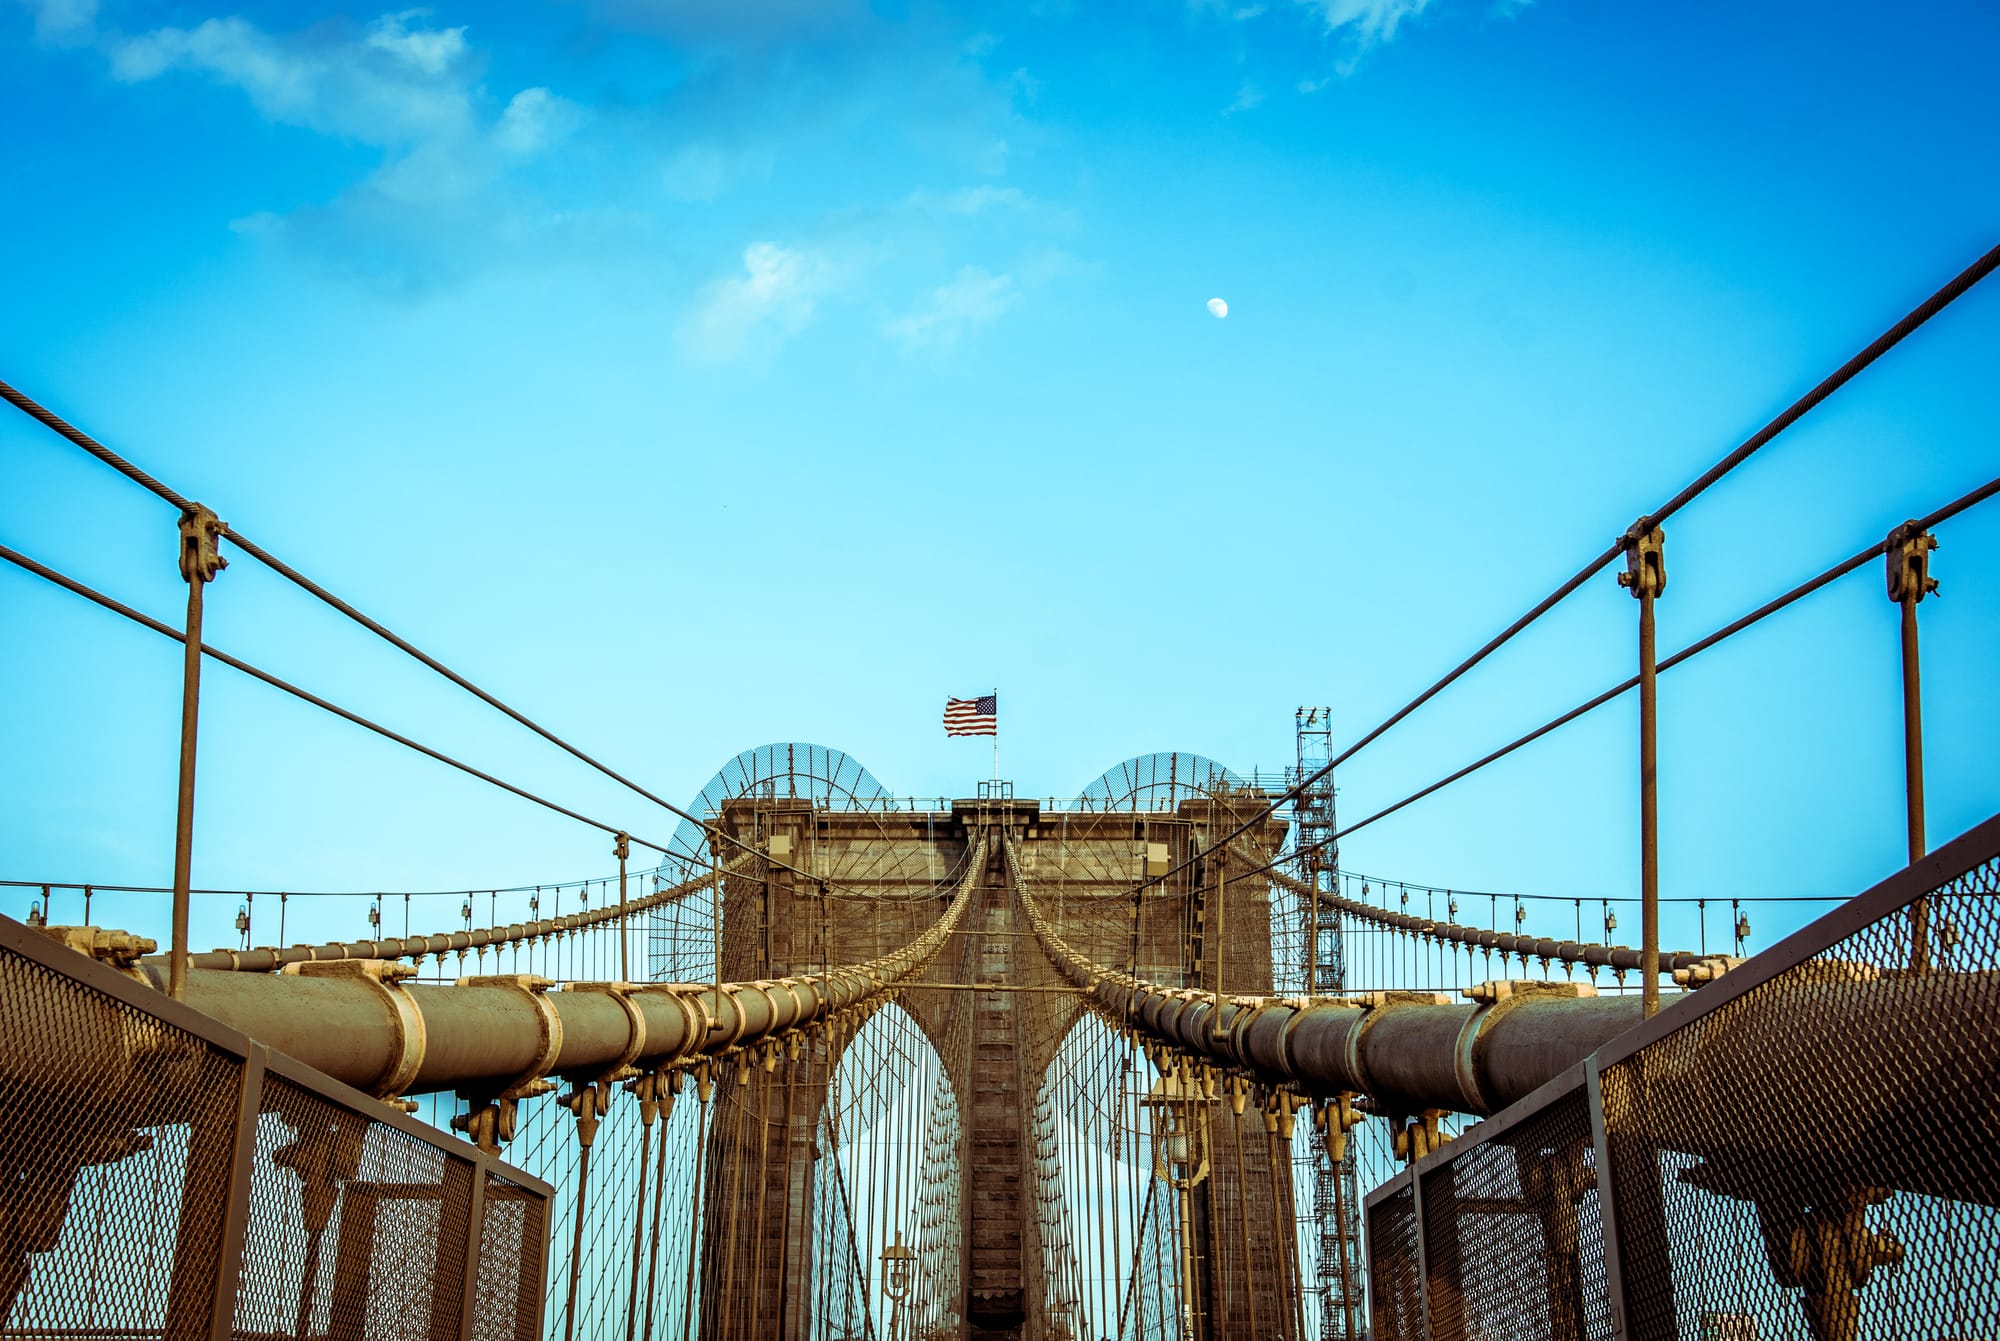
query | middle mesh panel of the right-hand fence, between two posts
[1513, 1236]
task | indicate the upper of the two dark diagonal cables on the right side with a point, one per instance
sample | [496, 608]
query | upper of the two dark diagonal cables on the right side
[1799, 409]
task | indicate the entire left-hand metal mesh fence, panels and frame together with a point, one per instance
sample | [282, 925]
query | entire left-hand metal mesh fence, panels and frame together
[163, 1176]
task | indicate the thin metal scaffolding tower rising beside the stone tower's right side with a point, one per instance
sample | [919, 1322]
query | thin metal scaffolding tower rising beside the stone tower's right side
[1335, 1190]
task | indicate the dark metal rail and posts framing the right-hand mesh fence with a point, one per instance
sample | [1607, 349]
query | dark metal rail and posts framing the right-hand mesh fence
[1873, 906]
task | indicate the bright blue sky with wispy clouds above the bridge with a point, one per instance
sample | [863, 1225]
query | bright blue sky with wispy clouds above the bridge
[703, 375]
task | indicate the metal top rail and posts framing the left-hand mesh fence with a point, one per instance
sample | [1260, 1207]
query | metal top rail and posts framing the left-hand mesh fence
[257, 1064]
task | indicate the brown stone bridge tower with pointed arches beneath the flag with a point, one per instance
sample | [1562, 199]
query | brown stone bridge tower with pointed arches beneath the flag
[997, 1014]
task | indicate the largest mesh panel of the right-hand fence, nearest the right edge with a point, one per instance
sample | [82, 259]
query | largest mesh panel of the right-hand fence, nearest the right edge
[1819, 1158]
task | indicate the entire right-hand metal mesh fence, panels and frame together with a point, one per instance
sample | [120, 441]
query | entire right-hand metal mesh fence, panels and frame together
[1805, 1150]
